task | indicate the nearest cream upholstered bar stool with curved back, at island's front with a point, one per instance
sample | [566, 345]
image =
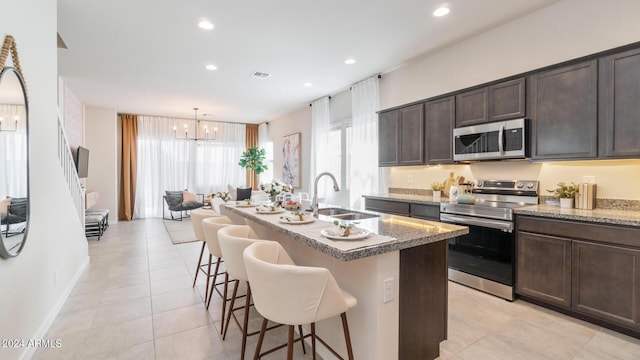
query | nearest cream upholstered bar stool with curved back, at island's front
[294, 295]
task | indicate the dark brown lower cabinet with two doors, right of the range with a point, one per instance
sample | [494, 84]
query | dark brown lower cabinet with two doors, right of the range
[591, 271]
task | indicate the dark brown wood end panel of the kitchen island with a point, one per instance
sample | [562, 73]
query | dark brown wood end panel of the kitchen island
[423, 300]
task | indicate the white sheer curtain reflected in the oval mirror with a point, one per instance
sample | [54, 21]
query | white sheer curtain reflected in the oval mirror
[13, 144]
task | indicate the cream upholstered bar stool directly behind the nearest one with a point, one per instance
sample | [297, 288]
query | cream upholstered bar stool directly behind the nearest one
[233, 240]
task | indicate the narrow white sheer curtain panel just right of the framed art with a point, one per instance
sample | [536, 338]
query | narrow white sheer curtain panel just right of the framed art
[320, 130]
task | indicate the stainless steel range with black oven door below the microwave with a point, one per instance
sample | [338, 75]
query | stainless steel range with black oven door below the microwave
[485, 258]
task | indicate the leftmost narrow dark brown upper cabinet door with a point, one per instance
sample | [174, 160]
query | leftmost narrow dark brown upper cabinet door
[388, 138]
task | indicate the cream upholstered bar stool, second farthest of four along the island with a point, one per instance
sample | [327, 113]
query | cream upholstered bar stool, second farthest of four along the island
[210, 227]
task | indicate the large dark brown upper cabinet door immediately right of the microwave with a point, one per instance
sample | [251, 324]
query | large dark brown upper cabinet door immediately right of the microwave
[563, 111]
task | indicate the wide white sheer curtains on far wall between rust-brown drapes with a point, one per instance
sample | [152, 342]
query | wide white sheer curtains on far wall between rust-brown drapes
[167, 163]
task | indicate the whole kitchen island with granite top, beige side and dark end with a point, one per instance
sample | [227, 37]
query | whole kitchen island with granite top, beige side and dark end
[398, 274]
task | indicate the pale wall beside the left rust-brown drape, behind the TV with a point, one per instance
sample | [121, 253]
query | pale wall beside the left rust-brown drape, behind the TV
[101, 138]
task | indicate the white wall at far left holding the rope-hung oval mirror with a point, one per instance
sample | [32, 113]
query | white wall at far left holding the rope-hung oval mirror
[55, 239]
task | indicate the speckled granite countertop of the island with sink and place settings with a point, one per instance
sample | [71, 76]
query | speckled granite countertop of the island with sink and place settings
[393, 233]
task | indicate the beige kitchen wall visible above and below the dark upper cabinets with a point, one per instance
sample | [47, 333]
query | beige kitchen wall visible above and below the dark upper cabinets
[563, 31]
